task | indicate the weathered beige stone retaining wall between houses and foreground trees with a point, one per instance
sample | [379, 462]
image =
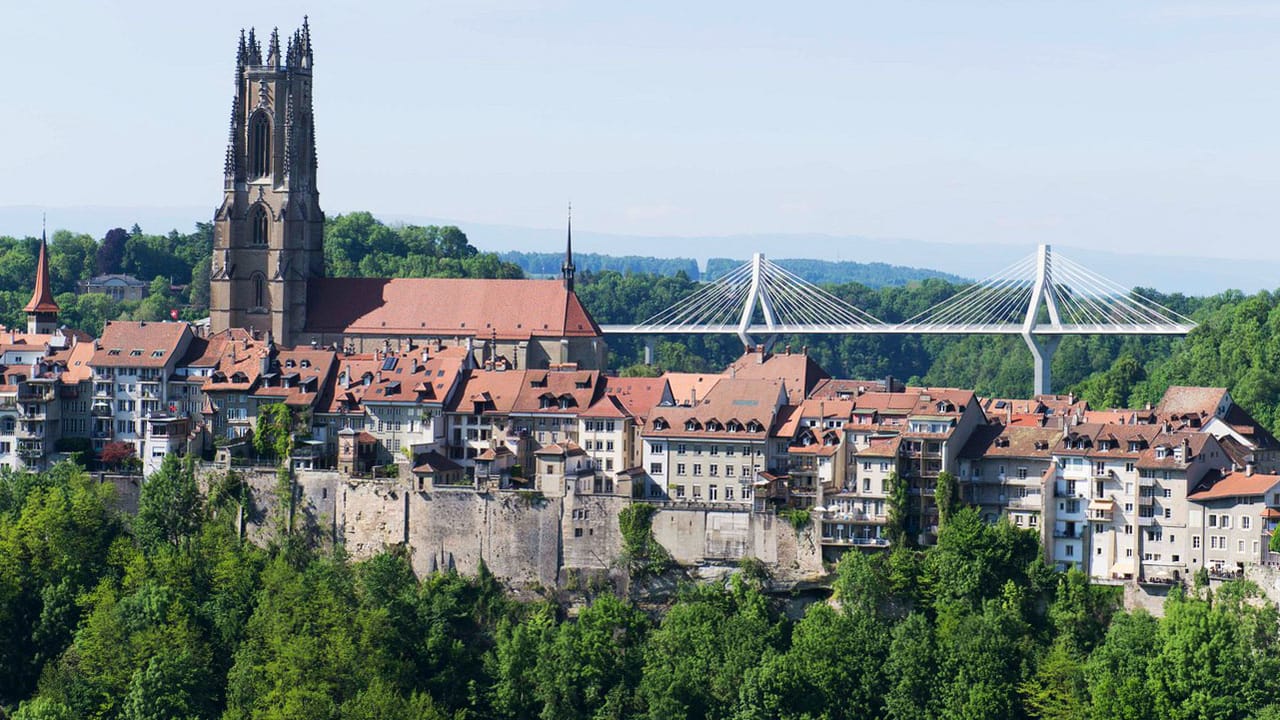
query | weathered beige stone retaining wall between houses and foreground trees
[523, 537]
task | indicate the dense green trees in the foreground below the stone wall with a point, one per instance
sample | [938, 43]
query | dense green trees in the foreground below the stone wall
[171, 616]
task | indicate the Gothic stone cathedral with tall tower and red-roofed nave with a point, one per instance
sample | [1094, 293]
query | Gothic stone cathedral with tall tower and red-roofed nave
[268, 271]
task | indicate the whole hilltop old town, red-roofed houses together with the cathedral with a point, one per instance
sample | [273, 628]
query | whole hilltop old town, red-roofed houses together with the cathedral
[502, 386]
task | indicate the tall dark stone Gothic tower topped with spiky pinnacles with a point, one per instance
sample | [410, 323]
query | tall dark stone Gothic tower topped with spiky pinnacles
[269, 230]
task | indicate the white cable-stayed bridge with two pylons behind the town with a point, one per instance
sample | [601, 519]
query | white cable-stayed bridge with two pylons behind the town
[1043, 298]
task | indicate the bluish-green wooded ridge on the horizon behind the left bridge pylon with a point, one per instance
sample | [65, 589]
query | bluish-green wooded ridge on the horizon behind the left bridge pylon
[872, 275]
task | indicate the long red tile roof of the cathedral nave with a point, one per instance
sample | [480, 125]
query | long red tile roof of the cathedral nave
[447, 307]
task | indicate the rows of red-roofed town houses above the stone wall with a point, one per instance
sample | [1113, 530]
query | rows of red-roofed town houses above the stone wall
[1150, 495]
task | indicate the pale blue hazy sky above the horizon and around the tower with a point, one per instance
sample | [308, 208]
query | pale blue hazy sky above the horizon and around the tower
[1153, 126]
